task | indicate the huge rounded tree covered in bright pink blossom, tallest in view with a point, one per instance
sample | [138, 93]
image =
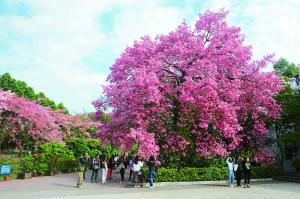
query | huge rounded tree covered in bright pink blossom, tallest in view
[193, 87]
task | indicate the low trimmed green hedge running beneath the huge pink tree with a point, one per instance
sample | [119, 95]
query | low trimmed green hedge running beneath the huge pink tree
[206, 174]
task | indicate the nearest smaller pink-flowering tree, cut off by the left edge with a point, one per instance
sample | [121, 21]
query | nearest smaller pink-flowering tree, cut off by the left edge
[27, 120]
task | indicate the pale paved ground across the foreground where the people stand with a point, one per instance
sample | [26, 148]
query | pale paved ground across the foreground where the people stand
[63, 187]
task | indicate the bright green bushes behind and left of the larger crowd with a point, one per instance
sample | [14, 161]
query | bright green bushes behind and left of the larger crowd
[54, 157]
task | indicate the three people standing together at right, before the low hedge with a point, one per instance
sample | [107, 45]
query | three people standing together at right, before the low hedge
[240, 166]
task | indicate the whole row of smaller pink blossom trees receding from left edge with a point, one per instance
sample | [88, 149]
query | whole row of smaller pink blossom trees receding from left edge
[22, 120]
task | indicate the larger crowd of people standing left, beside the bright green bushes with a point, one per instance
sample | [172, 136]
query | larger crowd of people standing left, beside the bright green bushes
[119, 163]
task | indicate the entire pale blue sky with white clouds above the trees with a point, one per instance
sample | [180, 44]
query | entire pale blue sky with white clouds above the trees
[65, 48]
